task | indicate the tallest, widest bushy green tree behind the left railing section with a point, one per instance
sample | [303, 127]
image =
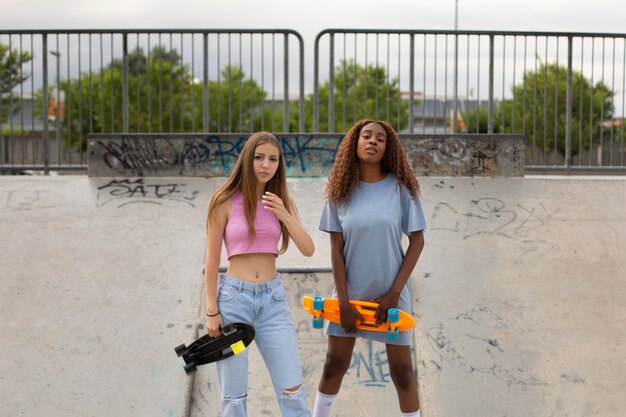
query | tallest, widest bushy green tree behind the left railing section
[159, 91]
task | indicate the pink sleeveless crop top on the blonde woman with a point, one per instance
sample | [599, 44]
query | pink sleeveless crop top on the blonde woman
[266, 226]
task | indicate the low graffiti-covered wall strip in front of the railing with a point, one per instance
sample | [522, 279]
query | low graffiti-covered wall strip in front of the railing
[312, 155]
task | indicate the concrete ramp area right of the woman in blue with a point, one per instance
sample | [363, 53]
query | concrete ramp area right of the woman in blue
[522, 298]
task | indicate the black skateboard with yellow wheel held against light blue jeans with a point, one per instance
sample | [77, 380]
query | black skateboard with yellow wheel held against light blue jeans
[207, 349]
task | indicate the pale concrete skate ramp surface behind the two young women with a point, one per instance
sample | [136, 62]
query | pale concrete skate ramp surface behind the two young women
[519, 297]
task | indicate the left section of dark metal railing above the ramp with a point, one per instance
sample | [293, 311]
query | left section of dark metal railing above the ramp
[76, 82]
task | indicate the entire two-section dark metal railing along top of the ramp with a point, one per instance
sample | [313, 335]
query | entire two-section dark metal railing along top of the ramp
[563, 91]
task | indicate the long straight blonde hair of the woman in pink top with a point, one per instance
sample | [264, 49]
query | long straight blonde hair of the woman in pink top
[242, 179]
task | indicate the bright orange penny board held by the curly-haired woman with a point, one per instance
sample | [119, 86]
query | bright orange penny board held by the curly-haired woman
[366, 308]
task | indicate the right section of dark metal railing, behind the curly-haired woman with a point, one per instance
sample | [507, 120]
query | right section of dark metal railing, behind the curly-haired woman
[564, 91]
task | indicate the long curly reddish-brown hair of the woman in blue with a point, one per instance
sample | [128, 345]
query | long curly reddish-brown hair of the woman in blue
[344, 175]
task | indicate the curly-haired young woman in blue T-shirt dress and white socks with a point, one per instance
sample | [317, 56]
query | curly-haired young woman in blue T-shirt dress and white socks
[372, 200]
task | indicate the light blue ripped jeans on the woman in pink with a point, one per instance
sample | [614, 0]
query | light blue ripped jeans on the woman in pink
[264, 306]
